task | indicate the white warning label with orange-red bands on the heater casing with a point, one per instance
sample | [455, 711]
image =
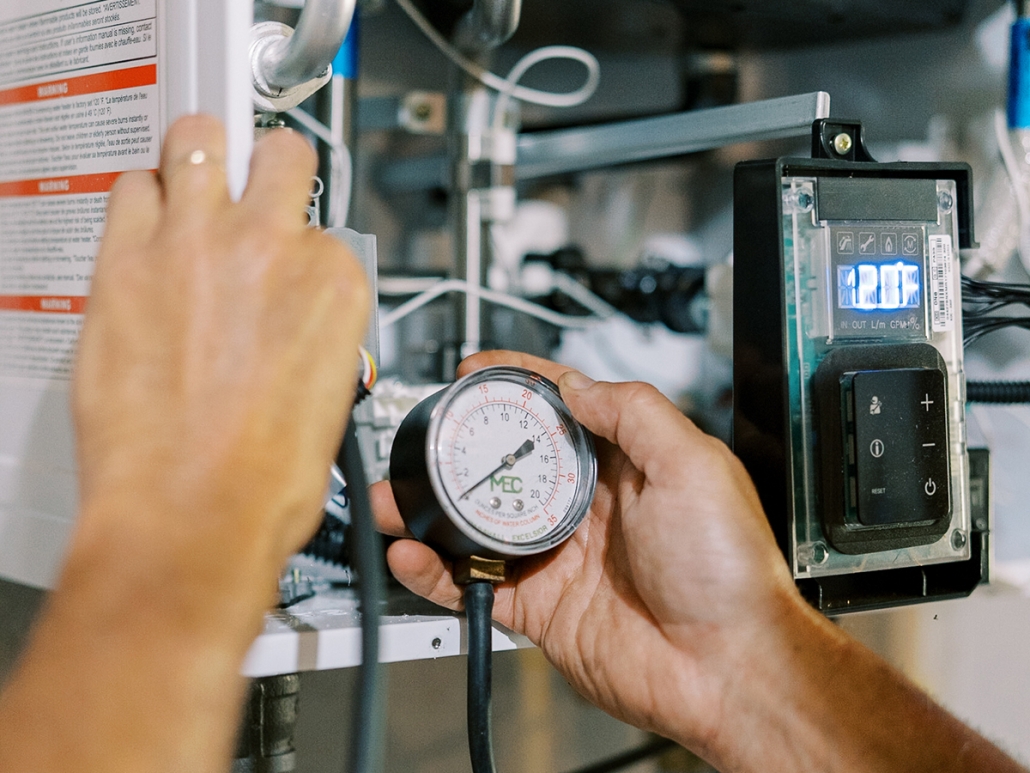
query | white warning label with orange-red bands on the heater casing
[79, 107]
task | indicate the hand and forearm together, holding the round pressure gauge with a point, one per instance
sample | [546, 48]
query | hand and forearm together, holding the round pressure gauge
[672, 609]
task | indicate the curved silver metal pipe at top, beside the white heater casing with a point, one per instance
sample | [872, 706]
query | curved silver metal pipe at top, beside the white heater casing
[289, 62]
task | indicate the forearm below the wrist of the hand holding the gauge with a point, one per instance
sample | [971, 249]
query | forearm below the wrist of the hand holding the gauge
[820, 701]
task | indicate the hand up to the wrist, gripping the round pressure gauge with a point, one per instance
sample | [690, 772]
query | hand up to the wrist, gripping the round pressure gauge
[656, 601]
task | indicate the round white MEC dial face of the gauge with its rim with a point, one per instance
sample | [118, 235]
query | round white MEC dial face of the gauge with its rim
[508, 462]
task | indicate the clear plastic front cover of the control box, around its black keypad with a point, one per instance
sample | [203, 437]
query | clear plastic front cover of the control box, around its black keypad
[851, 283]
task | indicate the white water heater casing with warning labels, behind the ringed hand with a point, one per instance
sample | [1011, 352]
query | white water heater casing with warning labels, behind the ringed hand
[87, 91]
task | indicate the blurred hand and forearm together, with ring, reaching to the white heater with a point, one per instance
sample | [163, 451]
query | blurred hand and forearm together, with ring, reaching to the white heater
[216, 371]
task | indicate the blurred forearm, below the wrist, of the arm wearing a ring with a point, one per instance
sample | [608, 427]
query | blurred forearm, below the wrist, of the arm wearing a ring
[134, 664]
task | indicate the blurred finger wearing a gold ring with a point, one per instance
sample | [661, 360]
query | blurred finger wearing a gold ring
[193, 169]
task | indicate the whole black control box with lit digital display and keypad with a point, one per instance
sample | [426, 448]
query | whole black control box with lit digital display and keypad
[849, 382]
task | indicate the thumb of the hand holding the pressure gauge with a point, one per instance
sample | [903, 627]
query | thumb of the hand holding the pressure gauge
[653, 432]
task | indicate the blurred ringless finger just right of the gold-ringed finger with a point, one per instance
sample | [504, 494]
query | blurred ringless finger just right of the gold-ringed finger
[282, 169]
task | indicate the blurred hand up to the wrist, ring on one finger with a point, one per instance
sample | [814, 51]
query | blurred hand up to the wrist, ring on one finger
[218, 362]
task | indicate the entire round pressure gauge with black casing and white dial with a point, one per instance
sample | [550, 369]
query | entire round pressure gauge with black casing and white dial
[494, 466]
